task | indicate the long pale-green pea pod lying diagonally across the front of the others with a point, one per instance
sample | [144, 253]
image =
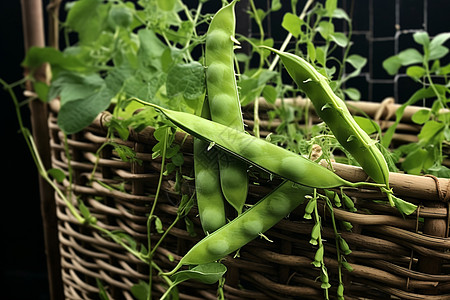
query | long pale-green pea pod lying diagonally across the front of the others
[259, 152]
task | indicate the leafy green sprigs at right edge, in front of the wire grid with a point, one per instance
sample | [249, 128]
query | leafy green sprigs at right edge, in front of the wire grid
[424, 67]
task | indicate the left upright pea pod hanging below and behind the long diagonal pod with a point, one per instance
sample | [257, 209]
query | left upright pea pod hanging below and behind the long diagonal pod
[210, 200]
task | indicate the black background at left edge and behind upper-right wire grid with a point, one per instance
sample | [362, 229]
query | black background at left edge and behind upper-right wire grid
[23, 266]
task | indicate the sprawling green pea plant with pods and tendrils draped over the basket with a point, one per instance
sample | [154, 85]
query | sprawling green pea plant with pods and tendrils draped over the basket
[156, 56]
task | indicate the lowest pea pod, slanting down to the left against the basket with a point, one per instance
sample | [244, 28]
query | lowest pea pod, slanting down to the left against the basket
[247, 226]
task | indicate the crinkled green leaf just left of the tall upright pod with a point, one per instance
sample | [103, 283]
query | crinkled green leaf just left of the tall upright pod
[187, 80]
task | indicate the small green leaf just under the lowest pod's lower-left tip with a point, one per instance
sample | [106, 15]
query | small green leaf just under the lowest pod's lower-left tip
[206, 273]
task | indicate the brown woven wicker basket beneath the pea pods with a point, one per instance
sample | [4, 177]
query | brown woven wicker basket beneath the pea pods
[392, 256]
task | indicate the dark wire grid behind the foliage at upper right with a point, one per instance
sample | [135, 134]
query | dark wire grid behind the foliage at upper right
[381, 28]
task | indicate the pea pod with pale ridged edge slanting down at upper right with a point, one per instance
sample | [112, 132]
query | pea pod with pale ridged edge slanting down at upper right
[333, 111]
